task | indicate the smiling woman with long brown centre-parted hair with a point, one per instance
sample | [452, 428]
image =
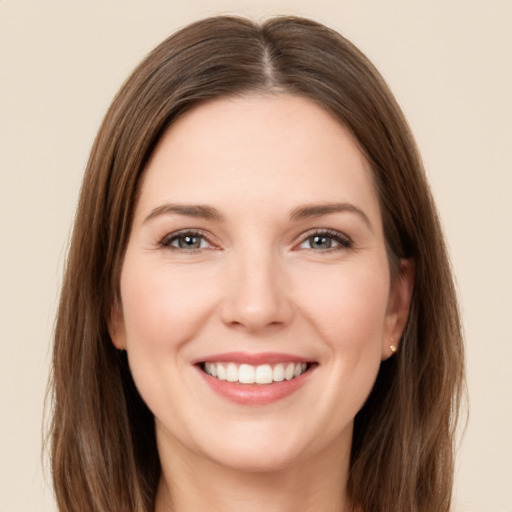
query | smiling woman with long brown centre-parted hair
[258, 310]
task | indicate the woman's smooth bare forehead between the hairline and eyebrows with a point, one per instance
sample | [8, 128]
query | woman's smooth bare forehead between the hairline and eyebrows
[258, 149]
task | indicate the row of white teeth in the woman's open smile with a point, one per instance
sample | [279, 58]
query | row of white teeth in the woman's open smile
[248, 374]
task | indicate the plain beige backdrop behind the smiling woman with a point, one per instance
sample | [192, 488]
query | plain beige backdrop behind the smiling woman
[448, 62]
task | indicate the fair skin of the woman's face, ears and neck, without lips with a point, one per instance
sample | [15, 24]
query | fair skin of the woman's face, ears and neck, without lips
[257, 283]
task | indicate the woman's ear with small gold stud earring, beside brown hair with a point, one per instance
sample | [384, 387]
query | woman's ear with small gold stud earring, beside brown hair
[399, 303]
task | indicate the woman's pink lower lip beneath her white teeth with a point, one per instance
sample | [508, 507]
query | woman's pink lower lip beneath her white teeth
[255, 394]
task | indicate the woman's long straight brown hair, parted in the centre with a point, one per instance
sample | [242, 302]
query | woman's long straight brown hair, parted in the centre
[103, 448]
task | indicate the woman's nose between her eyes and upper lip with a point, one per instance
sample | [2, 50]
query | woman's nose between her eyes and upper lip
[258, 294]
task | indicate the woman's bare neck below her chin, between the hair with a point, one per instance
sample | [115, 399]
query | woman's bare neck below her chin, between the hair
[198, 484]
